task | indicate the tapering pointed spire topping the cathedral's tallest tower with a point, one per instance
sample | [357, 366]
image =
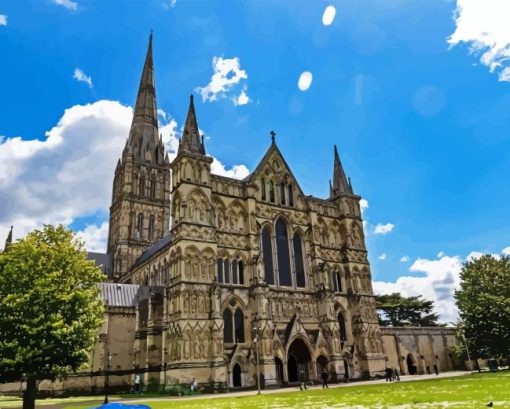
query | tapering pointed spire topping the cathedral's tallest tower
[143, 135]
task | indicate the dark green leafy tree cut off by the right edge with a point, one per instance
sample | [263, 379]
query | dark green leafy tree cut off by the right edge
[483, 301]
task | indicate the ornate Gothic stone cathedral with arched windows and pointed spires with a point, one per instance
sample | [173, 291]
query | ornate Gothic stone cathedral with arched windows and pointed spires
[230, 262]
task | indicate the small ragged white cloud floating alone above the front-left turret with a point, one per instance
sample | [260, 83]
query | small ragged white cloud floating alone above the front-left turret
[227, 76]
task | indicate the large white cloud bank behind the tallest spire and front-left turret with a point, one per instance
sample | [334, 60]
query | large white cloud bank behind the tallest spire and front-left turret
[69, 173]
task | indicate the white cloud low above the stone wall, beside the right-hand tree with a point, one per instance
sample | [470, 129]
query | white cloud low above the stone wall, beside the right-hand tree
[438, 282]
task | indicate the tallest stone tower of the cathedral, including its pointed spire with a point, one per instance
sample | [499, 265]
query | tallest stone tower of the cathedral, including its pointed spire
[140, 210]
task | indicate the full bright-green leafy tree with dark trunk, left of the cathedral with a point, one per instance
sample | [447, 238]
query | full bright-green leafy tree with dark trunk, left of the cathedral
[50, 308]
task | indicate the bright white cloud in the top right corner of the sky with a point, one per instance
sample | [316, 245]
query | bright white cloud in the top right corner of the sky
[483, 25]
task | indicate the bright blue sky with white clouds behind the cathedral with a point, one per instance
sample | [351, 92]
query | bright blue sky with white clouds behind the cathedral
[422, 124]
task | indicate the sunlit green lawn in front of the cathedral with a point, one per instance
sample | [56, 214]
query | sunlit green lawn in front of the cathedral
[470, 391]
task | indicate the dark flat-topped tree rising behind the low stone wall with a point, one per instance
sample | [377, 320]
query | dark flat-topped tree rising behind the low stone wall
[398, 311]
